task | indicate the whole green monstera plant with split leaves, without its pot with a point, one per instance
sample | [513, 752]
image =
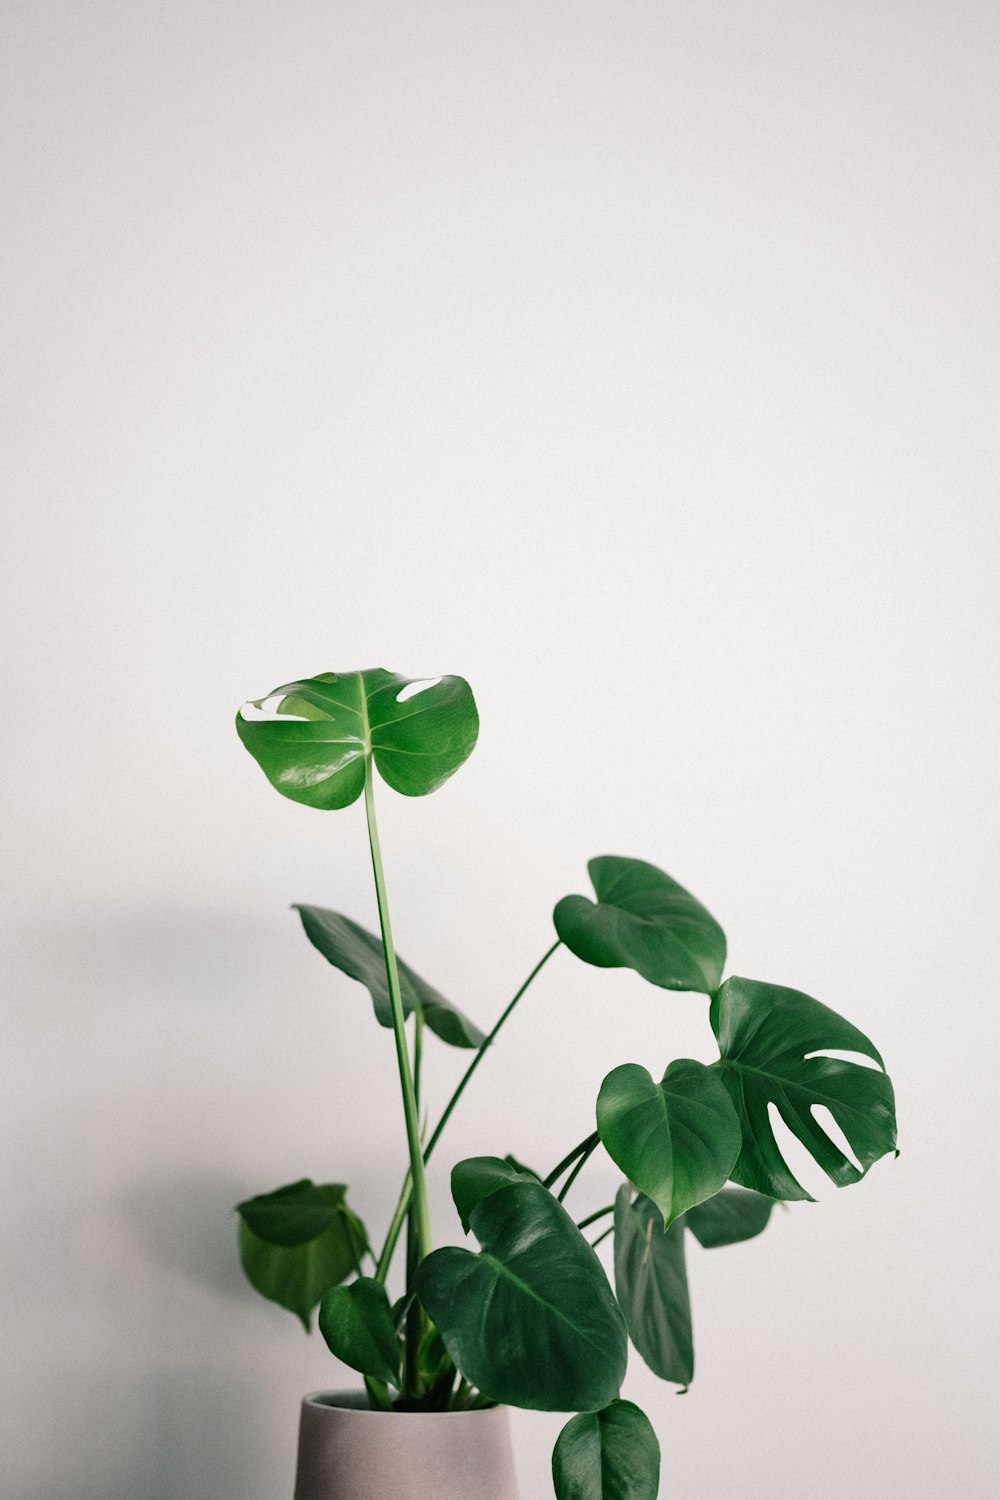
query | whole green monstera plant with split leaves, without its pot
[528, 1315]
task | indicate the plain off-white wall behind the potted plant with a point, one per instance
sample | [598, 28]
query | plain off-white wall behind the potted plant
[638, 362]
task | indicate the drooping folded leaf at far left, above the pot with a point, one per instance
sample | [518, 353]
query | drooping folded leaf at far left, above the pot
[289, 1270]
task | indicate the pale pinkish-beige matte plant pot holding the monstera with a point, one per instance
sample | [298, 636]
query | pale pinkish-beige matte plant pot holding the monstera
[350, 1453]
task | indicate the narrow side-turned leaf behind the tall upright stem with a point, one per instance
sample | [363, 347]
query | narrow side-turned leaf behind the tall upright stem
[361, 955]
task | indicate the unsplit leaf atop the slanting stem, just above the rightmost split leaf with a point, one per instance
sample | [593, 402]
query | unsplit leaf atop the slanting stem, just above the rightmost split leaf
[644, 922]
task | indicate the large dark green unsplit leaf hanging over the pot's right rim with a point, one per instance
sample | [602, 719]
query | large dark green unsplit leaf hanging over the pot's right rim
[530, 1321]
